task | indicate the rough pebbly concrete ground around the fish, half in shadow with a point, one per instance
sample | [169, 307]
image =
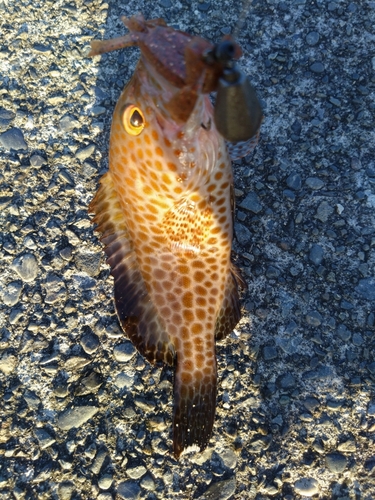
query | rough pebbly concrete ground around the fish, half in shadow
[82, 415]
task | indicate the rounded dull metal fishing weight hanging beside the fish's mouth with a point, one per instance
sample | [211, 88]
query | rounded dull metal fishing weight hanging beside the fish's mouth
[238, 113]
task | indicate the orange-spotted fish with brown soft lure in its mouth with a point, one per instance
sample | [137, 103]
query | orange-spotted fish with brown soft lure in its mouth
[165, 213]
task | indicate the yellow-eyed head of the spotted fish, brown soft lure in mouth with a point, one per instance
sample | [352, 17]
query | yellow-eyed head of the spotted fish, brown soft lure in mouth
[164, 115]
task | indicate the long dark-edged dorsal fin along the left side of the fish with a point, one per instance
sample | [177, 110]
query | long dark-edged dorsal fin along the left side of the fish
[134, 307]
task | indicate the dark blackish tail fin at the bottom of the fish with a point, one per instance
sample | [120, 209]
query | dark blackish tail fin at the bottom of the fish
[194, 410]
